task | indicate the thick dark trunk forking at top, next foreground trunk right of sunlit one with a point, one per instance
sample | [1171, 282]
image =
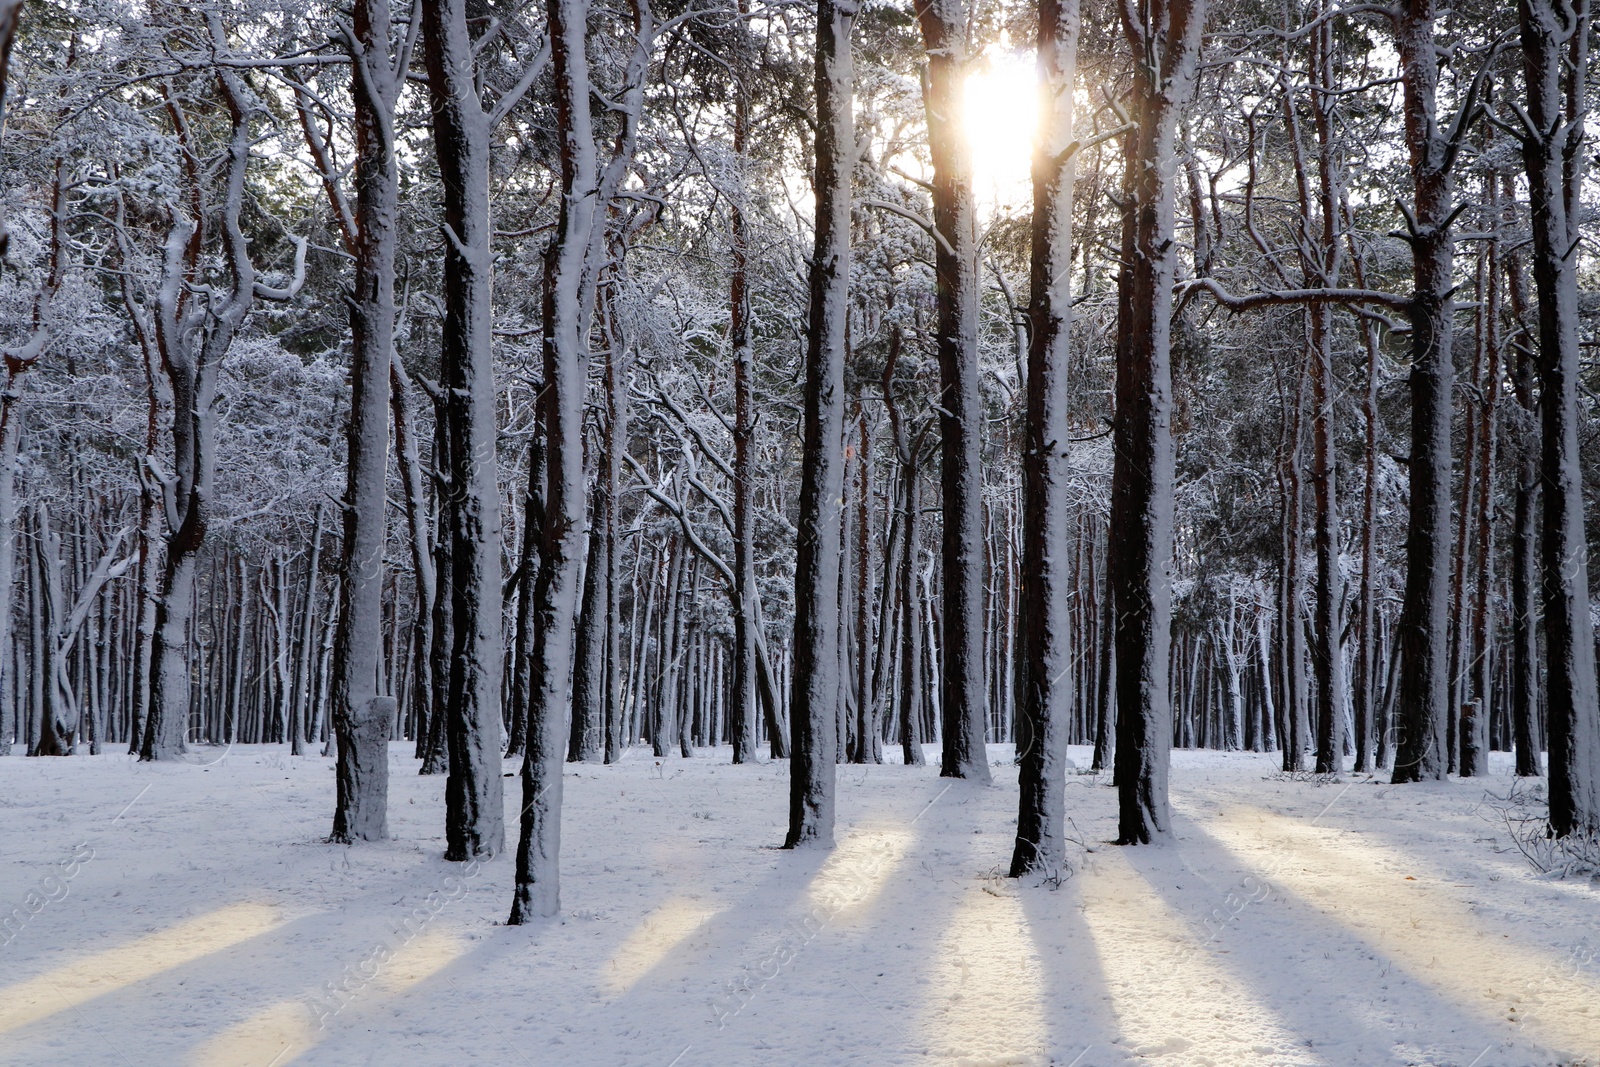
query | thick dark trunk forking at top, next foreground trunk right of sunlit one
[1166, 39]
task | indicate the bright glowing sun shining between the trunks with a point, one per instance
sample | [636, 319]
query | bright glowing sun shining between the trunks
[1001, 119]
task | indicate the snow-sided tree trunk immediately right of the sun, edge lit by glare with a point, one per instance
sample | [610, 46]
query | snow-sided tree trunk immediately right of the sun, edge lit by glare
[1042, 703]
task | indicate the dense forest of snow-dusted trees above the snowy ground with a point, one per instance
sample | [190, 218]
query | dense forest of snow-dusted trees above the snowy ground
[820, 382]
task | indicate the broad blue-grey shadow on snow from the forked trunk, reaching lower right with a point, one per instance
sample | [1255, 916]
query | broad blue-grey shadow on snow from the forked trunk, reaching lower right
[1322, 980]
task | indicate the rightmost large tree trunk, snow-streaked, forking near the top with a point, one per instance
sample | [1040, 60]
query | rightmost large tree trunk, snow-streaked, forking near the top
[1556, 66]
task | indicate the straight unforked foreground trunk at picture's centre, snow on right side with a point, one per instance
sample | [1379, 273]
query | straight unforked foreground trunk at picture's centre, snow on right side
[815, 684]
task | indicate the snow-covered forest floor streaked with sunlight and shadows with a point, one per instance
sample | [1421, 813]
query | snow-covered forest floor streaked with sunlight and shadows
[193, 914]
